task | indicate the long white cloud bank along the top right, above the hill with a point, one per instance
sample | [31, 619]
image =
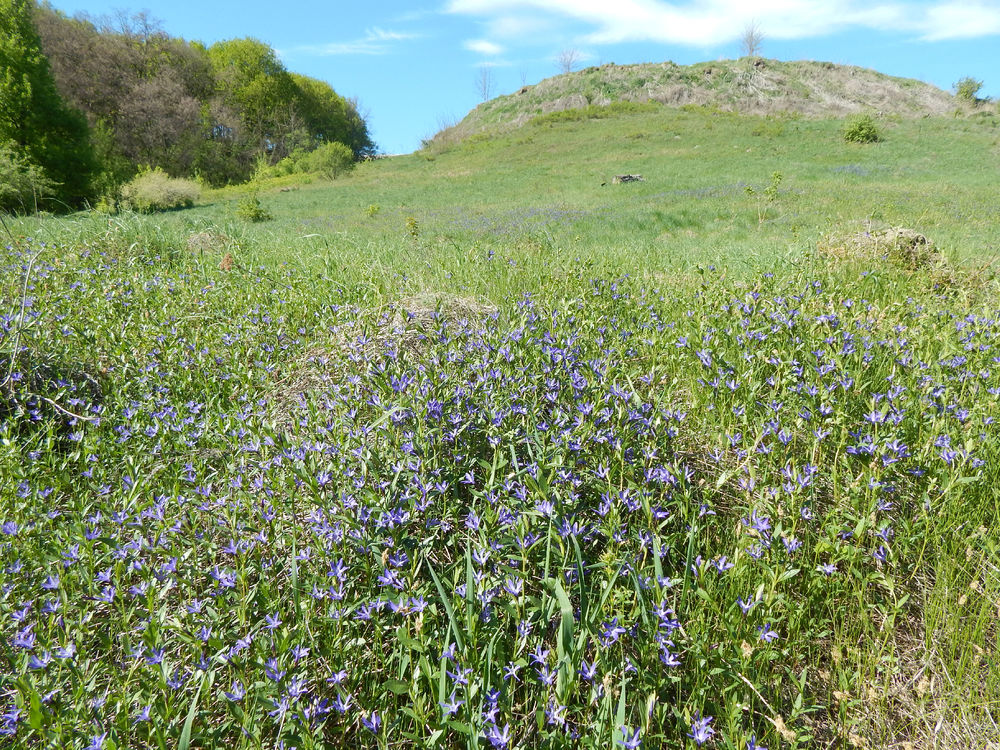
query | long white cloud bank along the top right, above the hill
[712, 22]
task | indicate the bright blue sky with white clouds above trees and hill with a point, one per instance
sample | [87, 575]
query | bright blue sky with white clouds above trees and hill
[414, 65]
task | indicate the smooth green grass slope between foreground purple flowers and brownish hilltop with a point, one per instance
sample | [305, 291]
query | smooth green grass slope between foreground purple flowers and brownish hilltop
[549, 185]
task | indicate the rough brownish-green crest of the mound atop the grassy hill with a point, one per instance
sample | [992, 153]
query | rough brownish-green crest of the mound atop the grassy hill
[758, 87]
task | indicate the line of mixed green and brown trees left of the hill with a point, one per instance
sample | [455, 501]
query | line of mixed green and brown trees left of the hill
[86, 103]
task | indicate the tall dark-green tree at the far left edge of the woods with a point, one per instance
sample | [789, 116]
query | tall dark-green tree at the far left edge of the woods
[33, 117]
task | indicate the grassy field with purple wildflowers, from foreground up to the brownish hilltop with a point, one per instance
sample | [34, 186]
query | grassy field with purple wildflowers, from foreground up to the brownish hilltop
[405, 471]
